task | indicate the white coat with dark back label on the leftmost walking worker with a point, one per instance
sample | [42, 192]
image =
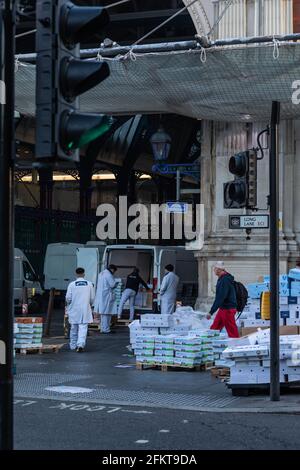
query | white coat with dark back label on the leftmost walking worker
[79, 298]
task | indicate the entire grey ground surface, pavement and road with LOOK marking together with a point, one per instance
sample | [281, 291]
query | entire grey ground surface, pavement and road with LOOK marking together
[99, 400]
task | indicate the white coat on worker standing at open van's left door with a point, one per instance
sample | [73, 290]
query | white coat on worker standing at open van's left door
[105, 298]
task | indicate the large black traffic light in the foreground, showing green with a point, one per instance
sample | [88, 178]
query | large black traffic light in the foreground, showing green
[61, 130]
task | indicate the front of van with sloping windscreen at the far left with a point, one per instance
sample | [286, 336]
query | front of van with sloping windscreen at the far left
[24, 276]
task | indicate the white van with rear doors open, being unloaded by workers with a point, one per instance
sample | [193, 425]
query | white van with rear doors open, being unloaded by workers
[151, 261]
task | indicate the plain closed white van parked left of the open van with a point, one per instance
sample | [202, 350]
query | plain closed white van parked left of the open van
[59, 266]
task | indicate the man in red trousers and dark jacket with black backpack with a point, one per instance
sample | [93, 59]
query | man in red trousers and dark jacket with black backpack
[225, 302]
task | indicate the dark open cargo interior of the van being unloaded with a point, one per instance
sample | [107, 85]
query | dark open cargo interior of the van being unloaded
[127, 259]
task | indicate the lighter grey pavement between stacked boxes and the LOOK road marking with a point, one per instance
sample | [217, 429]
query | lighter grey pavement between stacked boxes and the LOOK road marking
[106, 373]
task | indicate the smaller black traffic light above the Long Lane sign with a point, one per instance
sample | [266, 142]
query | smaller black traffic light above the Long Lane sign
[242, 191]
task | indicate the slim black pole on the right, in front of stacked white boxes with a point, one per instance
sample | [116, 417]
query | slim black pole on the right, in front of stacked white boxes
[274, 254]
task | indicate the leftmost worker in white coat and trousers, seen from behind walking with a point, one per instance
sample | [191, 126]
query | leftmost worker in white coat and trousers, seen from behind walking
[79, 300]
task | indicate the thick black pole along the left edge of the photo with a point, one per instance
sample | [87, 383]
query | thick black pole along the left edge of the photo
[7, 153]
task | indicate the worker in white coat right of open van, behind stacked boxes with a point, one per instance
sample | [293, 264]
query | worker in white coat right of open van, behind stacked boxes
[168, 291]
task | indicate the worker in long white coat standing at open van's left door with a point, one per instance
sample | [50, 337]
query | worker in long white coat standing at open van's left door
[105, 304]
